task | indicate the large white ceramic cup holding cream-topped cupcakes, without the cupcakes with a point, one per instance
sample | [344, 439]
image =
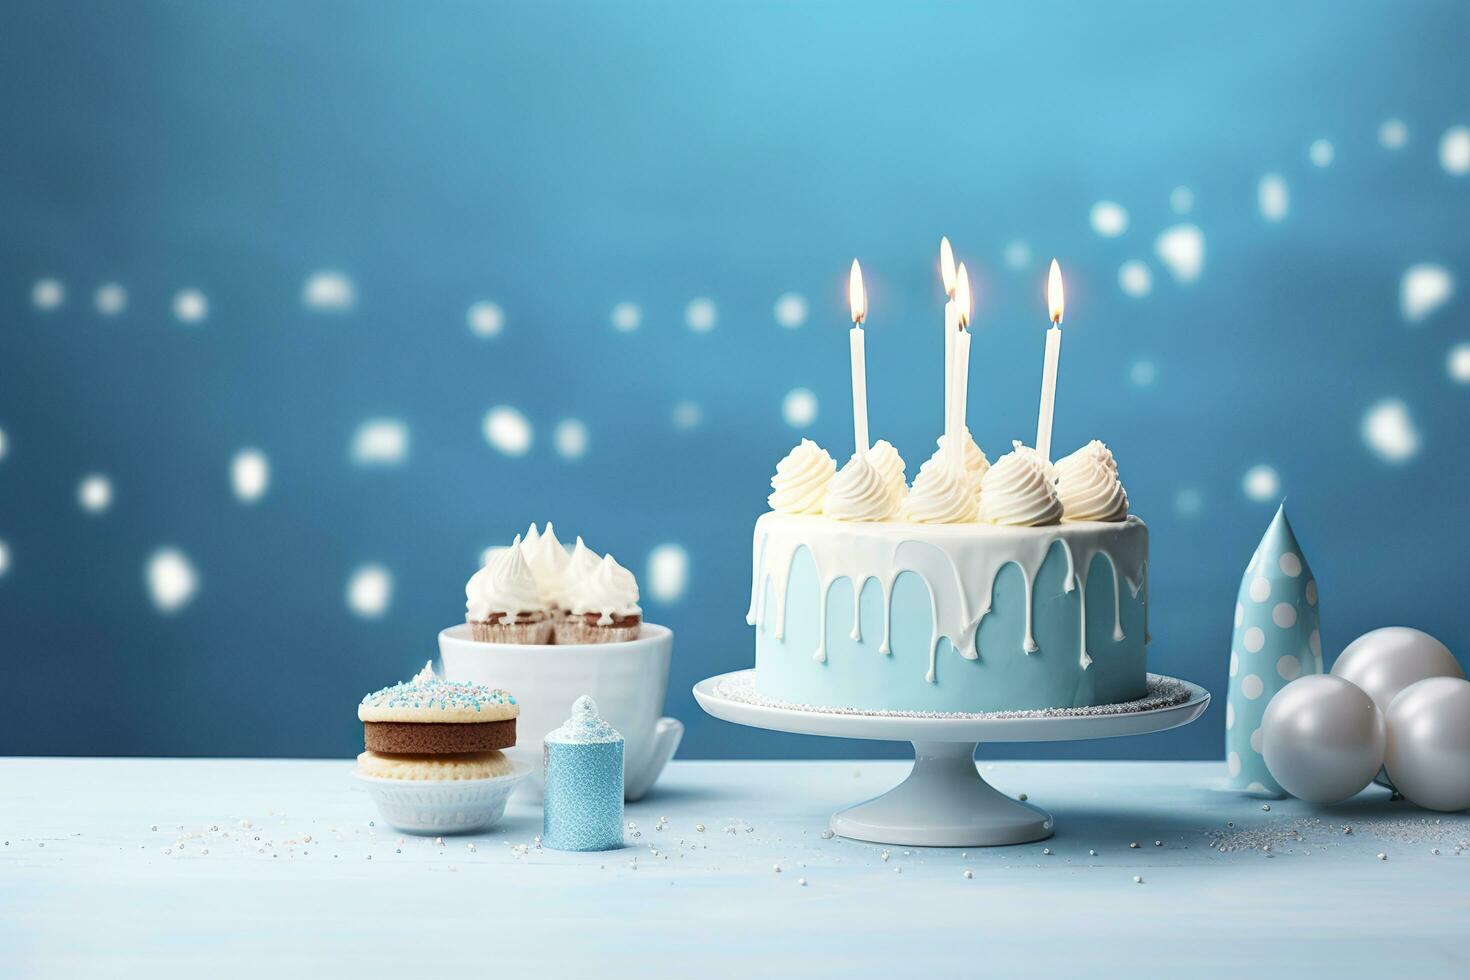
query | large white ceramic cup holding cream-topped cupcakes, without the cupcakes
[628, 681]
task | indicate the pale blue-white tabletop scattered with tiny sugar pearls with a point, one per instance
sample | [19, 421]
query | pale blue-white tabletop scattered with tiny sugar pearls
[90, 888]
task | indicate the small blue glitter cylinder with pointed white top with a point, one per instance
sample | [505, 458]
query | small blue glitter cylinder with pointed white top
[584, 777]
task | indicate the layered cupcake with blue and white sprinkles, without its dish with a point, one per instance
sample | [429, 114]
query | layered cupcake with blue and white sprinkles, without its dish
[433, 729]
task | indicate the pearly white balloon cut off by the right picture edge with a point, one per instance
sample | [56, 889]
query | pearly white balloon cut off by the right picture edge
[1430, 743]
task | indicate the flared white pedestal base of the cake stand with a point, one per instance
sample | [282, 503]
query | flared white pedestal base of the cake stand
[944, 803]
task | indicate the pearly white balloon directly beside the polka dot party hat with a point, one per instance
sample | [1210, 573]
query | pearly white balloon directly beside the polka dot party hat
[1322, 738]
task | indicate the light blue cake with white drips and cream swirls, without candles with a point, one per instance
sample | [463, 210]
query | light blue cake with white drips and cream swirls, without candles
[974, 615]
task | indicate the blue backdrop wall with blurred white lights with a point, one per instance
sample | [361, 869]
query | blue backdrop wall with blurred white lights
[559, 161]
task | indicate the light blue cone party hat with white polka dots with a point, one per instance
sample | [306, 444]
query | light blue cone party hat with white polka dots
[1277, 640]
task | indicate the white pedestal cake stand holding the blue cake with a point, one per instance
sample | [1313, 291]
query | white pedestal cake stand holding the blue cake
[944, 801]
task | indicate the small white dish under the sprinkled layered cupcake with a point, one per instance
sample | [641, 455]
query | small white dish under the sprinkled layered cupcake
[443, 806]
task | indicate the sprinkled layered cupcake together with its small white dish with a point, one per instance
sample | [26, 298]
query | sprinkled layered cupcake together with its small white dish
[434, 754]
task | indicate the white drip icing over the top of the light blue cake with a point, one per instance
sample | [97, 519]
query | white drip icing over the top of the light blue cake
[958, 563]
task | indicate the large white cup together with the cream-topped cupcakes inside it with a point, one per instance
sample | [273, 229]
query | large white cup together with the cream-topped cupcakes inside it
[599, 646]
